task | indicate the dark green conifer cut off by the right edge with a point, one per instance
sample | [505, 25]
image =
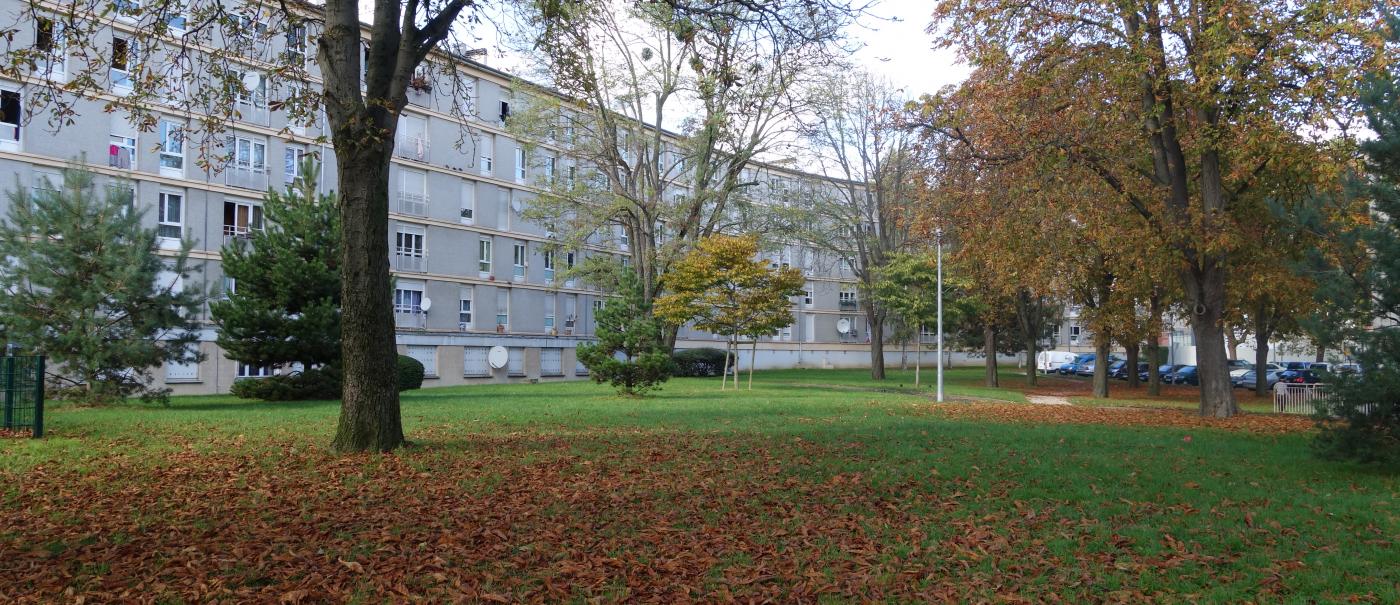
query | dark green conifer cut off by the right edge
[1370, 403]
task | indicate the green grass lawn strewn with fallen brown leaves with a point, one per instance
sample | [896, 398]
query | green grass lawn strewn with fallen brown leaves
[814, 487]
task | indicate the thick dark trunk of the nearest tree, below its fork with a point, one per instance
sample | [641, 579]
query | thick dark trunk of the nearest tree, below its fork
[370, 407]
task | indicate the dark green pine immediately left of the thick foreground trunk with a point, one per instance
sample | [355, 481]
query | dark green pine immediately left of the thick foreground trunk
[285, 302]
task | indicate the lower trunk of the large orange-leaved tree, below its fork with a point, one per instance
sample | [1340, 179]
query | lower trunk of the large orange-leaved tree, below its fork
[1206, 296]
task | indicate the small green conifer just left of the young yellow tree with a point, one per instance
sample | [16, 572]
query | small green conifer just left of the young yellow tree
[626, 326]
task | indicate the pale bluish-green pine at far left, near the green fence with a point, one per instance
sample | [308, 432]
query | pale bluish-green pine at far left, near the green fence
[86, 288]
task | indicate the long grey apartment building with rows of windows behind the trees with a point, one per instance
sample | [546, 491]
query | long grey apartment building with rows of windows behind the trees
[471, 274]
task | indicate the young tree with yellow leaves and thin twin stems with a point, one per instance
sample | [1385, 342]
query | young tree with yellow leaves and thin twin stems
[723, 288]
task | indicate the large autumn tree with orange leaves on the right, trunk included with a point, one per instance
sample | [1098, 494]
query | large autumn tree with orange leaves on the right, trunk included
[1178, 110]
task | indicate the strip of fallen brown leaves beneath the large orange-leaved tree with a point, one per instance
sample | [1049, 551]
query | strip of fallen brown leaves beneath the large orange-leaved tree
[1123, 417]
